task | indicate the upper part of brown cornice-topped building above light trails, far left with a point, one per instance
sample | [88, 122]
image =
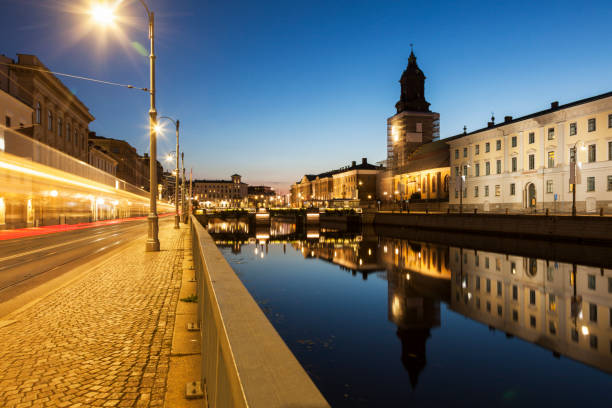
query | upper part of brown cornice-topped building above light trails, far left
[60, 119]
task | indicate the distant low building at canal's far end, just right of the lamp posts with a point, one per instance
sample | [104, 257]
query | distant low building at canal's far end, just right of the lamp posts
[221, 193]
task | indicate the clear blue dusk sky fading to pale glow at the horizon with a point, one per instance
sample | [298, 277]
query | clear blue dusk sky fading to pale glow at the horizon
[276, 89]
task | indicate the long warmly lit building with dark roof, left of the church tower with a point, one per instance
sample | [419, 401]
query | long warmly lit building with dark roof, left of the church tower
[350, 185]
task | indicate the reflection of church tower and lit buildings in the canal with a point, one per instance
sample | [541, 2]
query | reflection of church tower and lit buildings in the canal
[565, 308]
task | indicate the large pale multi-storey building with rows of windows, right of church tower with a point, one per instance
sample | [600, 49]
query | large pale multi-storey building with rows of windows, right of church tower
[523, 164]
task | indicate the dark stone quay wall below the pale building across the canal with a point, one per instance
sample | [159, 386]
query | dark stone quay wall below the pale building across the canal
[563, 228]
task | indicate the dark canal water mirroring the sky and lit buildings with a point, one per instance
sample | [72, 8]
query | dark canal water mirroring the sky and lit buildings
[380, 321]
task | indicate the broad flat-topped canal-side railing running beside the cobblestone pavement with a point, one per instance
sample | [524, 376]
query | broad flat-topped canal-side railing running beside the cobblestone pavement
[245, 363]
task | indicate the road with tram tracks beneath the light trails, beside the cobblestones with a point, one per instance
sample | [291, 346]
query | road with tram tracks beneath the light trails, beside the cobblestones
[26, 263]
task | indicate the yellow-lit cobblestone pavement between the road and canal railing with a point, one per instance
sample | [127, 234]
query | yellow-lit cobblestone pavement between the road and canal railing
[103, 340]
